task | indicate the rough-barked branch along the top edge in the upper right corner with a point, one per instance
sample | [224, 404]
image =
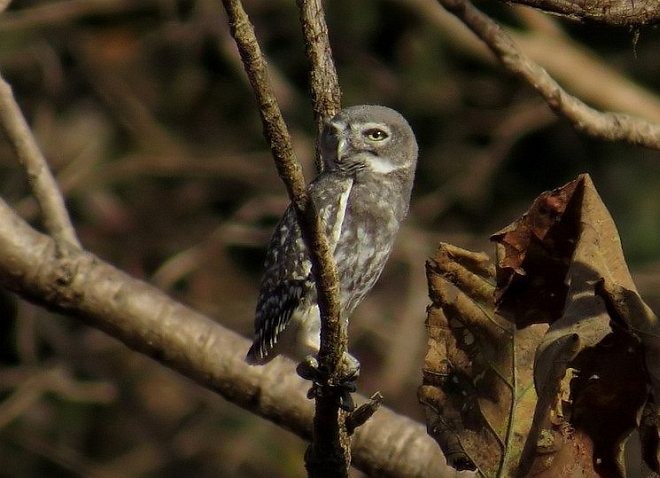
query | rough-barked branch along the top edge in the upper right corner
[608, 12]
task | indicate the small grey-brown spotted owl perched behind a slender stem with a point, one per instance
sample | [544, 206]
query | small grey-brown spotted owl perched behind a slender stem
[362, 196]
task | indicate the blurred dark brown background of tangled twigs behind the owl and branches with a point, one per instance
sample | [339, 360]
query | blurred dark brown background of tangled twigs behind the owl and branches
[145, 115]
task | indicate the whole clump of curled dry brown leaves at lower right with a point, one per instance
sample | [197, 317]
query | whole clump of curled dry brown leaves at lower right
[560, 265]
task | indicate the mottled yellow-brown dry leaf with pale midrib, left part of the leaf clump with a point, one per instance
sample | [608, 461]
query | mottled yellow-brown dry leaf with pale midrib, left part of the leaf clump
[478, 387]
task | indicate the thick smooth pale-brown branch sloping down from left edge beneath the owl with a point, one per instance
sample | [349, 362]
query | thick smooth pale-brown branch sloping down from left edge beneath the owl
[78, 283]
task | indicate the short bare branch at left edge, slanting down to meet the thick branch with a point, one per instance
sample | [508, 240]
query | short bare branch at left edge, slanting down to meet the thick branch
[44, 187]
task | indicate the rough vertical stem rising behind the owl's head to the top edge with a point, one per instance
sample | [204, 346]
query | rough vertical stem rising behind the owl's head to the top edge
[324, 84]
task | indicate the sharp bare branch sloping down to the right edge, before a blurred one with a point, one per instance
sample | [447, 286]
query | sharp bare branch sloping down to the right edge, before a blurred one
[603, 125]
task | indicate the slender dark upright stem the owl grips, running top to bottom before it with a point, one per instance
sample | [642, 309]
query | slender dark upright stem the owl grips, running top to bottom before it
[330, 440]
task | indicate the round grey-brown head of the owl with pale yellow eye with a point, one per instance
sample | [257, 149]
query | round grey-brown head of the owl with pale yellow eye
[369, 138]
